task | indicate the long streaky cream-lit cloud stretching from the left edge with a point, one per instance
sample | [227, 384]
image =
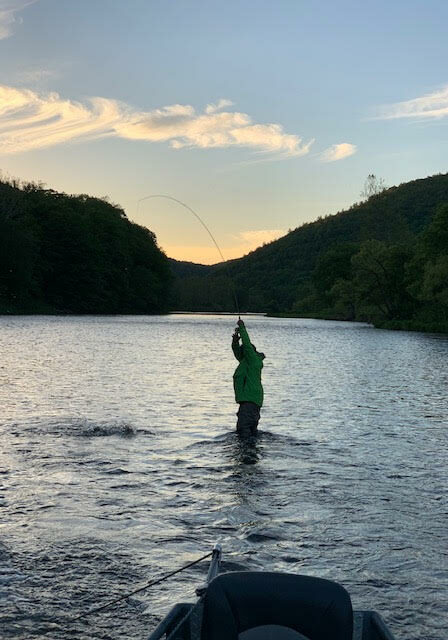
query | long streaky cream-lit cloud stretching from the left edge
[29, 120]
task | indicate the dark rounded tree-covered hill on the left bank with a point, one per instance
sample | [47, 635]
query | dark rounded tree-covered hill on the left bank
[76, 254]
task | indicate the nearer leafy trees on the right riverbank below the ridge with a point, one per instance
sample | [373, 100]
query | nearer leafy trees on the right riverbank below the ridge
[401, 285]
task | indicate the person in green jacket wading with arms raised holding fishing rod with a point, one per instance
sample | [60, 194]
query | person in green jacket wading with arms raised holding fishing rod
[247, 381]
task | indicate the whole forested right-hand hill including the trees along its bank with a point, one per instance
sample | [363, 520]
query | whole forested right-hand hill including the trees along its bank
[376, 261]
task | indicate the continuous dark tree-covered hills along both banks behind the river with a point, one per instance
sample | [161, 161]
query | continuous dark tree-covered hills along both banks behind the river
[385, 260]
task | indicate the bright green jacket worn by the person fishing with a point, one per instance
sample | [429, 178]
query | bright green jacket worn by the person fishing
[247, 376]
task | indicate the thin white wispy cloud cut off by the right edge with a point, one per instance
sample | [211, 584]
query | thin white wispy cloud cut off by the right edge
[433, 105]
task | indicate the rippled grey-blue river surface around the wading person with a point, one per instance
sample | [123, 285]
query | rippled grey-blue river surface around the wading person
[119, 462]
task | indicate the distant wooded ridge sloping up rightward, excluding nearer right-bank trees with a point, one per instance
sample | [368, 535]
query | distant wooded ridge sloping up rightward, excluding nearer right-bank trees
[277, 276]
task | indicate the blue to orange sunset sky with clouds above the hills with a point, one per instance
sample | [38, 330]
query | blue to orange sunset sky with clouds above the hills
[260, 116]
